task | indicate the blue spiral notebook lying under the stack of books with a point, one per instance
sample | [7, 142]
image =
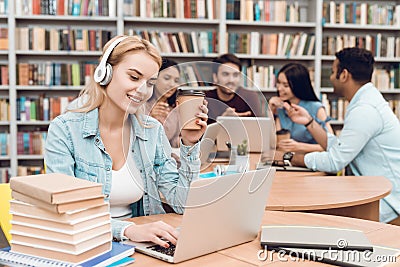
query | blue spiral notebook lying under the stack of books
[118, 252]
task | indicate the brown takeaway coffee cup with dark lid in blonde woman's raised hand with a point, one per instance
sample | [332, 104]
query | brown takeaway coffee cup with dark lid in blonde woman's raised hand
[188, 102]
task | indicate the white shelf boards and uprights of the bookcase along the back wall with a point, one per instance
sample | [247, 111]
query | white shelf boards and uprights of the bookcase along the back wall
[313, 22]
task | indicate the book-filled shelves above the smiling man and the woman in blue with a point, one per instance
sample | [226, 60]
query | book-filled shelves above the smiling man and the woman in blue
[265, 34]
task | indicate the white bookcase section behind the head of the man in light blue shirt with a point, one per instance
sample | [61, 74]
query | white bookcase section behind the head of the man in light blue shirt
[346, 27]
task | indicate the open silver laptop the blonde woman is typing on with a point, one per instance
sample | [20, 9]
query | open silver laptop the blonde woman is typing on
[212, 220]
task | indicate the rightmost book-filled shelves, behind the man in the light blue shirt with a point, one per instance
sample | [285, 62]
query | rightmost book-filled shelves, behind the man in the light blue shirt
[369, 24]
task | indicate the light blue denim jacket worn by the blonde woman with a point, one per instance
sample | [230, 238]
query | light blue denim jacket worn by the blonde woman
[74, 147]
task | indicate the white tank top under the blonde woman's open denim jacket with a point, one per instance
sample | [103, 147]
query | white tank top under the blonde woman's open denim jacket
[126, 188]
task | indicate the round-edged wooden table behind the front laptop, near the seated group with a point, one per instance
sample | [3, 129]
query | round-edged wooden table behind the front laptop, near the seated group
[350, 196]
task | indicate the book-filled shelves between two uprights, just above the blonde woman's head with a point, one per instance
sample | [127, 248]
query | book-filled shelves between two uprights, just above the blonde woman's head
[180, 29]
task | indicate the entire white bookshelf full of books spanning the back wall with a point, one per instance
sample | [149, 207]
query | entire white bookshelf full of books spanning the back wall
[264, 34]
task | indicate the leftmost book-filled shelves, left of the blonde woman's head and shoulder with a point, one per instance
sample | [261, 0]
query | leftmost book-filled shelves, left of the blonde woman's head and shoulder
[56, 48]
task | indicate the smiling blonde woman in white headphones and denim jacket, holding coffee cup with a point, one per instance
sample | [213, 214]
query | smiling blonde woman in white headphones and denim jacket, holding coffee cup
[108, 140]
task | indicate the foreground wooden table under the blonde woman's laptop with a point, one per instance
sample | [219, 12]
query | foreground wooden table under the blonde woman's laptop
[246, 254]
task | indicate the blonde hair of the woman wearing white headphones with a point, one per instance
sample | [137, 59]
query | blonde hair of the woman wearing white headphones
[93, 94]
